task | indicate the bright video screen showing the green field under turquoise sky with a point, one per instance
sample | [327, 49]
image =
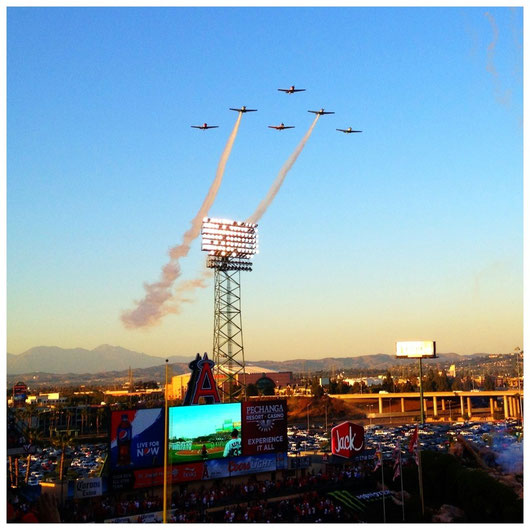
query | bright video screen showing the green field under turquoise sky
[204, 432]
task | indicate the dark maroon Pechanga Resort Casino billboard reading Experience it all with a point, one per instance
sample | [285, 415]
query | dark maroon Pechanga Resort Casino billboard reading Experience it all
[264, 426]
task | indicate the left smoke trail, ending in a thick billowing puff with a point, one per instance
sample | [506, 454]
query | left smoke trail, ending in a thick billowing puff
[152, 307]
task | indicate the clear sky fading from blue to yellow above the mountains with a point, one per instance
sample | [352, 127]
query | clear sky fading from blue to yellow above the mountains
[410, 230]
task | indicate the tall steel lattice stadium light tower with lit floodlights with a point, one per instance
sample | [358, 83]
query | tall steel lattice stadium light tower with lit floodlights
[230, 246]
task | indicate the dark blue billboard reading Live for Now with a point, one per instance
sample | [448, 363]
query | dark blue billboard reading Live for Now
[136, 439]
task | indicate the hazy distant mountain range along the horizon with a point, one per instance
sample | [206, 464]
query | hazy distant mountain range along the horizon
[107, 358]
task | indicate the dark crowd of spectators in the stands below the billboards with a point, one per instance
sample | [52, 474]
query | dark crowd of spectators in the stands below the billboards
[300, 498]
